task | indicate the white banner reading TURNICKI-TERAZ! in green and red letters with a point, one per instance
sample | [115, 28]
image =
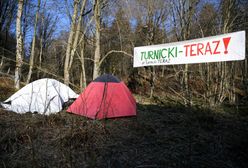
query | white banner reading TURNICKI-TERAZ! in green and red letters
[226, 47]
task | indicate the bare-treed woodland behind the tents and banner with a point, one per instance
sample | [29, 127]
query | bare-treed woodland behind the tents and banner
[76, 41]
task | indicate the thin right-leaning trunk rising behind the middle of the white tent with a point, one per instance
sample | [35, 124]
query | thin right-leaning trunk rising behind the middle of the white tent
[31, 61]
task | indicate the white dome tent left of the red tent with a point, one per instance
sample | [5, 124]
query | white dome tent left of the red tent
[44, 96]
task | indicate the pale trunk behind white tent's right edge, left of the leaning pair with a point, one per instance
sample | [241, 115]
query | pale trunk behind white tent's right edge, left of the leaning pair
[69, 44]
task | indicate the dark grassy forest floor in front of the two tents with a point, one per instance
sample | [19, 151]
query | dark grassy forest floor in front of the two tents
[160, 136]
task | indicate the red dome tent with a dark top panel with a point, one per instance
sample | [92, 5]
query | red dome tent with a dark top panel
[105, 97]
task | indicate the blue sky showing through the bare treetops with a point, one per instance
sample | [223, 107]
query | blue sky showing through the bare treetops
[59, 8]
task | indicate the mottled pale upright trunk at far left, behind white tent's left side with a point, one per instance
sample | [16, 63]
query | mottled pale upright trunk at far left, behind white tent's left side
[19, 45]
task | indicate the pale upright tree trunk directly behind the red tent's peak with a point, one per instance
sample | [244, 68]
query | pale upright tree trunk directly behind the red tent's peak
[97, 55]
